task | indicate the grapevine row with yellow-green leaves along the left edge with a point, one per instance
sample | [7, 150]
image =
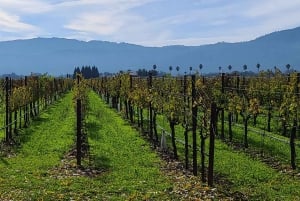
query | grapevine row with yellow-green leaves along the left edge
[22, 100]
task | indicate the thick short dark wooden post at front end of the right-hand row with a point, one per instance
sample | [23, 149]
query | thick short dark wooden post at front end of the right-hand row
[212, 144]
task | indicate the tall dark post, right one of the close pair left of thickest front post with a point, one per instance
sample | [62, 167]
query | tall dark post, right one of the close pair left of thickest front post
[194, 125]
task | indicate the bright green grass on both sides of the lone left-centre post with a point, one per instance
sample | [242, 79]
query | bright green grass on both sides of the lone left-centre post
[129, 169]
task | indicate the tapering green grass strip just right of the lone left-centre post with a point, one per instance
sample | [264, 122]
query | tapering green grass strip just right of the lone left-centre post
[131, 168]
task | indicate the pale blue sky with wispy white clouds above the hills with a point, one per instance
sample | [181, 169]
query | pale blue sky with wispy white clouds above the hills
[147, 22]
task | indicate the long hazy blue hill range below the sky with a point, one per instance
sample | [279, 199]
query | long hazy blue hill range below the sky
[58, 56]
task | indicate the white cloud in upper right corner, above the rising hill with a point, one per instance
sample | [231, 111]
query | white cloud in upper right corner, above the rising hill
[267, 16]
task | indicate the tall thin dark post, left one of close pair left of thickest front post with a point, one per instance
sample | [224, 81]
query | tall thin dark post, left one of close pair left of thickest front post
[186, 139]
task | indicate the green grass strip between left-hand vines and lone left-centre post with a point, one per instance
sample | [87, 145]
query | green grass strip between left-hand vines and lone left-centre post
[24, 175]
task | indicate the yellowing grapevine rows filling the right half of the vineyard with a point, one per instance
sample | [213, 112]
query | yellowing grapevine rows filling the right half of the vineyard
[200, 104]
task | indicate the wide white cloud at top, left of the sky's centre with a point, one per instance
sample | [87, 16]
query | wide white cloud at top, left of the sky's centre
[112, 18]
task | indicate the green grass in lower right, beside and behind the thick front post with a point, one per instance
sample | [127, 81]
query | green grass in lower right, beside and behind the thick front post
[244, 174]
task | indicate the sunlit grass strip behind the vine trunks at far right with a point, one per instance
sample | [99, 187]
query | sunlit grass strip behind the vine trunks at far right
[271, 144]
